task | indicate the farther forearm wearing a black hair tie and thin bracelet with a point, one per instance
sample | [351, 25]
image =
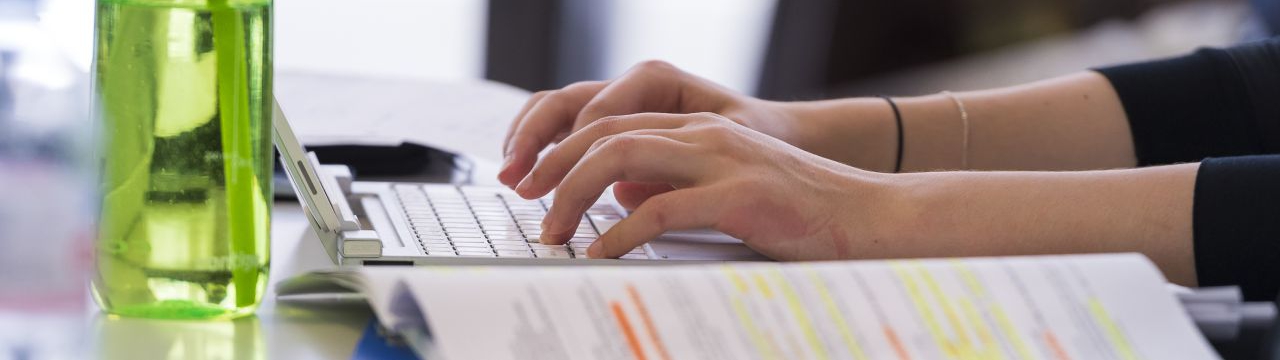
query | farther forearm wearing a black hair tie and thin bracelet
[1069, 124]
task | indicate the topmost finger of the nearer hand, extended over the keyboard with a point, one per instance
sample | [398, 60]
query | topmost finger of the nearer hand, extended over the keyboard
[556, 165]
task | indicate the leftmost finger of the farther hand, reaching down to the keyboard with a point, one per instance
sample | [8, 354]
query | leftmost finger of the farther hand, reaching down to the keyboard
[554, 115]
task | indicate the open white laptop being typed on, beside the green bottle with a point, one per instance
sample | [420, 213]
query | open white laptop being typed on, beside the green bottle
[404, 224]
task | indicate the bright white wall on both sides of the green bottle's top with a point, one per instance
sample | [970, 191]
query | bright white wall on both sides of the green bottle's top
[424, 39]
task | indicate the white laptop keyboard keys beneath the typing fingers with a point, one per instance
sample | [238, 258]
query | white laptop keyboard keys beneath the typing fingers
[492, 222]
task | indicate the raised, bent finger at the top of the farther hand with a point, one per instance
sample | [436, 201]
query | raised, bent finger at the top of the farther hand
[647, 88]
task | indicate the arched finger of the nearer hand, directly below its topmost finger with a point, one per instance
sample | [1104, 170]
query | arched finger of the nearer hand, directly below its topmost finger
[621, 158]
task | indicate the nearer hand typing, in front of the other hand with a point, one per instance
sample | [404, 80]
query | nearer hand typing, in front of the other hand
[780, 200]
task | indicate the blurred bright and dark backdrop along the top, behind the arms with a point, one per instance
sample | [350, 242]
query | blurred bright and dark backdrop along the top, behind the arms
[779, 49]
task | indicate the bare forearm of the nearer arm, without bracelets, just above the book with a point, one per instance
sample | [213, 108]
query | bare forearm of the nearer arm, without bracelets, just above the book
[1148, 211]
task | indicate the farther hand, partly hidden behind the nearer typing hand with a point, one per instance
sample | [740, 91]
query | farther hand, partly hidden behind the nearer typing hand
[650, 88]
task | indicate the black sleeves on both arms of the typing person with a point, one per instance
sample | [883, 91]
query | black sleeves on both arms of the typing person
[1217, 107]
